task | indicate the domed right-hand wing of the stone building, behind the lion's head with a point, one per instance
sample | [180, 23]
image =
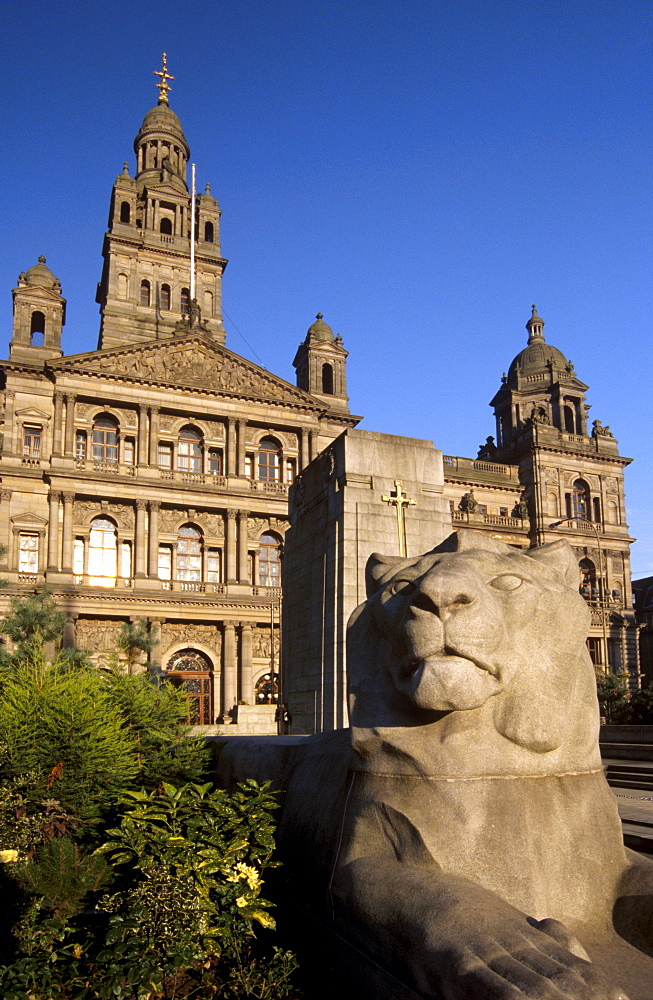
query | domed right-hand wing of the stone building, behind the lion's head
[548, 475]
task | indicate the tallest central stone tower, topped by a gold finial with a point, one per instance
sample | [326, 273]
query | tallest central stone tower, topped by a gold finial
[145, 287]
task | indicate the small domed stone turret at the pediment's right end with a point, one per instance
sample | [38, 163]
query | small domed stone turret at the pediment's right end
[321, 364]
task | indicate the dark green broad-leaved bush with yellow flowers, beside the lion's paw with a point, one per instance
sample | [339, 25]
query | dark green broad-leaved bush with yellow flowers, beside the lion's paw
[186, 866]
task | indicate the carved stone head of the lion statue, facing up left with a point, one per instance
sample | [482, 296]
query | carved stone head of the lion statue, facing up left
[473, 624]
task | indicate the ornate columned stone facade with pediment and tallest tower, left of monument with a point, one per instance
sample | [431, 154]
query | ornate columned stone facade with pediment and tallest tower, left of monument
[149, 478]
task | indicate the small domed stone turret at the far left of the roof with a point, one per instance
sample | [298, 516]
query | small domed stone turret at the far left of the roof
[39, 315]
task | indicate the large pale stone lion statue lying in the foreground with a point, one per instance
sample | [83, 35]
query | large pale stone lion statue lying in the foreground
[460, 841]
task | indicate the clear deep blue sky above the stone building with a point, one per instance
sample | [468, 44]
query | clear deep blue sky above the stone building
[419, 172]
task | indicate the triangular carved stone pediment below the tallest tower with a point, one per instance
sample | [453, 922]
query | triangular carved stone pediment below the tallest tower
[189, 362]
